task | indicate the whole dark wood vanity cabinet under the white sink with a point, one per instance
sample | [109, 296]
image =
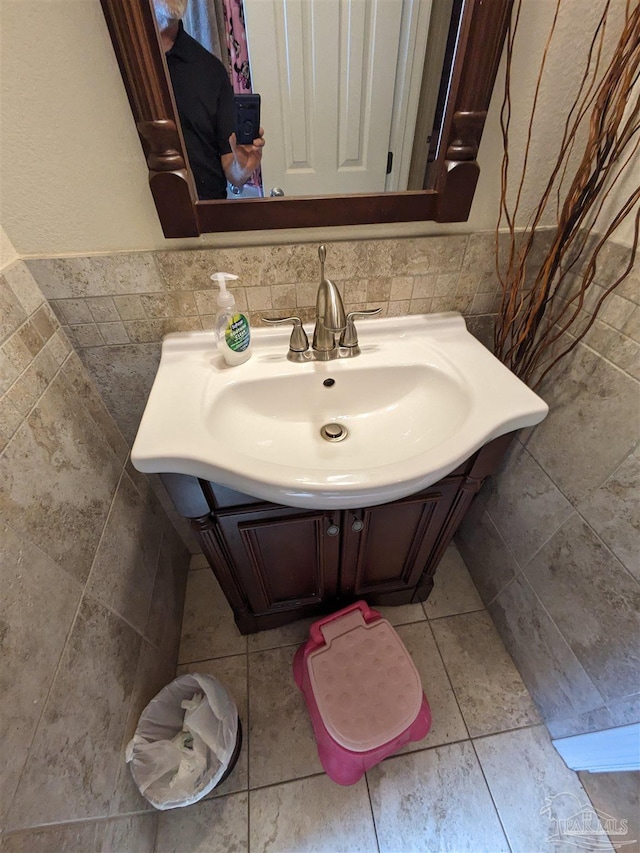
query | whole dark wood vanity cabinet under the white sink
[277, 564]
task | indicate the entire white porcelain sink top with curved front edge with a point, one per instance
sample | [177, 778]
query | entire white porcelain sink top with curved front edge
[420, 399]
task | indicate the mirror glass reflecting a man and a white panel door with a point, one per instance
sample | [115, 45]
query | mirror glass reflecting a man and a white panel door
[348, 90]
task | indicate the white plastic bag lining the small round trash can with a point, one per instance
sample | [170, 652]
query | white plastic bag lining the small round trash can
[184, 742]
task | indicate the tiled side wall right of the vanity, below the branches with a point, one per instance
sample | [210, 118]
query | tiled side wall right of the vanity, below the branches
[553, 541]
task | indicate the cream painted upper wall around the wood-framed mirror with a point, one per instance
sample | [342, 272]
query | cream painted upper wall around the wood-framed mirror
[72, 173]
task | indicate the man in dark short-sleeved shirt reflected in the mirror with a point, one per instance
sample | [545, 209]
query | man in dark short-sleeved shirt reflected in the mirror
[204, 98]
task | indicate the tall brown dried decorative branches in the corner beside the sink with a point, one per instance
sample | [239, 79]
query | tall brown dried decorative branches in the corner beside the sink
[540, 322]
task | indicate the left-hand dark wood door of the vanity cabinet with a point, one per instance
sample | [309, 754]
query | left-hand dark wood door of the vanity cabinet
[285, 559]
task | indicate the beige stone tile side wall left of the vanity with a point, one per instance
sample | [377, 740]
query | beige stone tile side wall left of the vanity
[92, 576]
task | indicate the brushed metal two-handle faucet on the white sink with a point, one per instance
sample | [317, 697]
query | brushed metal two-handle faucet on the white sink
[330, 322]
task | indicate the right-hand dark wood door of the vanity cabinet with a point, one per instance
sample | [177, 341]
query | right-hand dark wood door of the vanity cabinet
[386, 549]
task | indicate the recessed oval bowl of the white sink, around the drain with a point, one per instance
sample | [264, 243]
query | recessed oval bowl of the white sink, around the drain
[390, 412]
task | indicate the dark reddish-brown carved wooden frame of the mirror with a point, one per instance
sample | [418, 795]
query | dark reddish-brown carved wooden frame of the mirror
[450, 181]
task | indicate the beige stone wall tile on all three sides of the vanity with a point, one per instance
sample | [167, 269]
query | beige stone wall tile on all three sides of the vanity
[552, 544]
